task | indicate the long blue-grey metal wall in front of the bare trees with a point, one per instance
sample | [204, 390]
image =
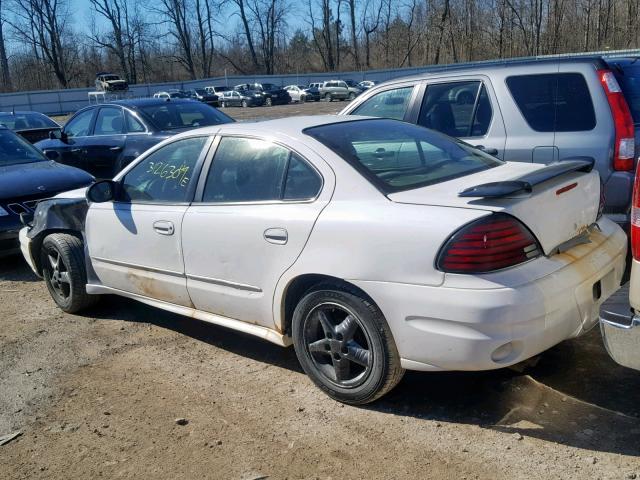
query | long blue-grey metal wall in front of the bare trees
[59, 102]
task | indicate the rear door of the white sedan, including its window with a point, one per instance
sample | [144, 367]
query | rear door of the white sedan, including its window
[258, 203]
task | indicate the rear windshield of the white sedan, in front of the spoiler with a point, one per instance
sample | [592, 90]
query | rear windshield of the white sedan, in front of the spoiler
[397, 156]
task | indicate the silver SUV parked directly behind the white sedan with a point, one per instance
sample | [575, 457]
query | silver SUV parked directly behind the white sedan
[529, 111]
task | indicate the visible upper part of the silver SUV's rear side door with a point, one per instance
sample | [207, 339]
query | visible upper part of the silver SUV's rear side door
[467, 109]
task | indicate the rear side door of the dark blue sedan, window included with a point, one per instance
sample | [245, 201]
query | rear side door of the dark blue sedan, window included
[104, 147]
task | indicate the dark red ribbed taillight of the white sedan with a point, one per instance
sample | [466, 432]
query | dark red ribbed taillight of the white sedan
[491, 243]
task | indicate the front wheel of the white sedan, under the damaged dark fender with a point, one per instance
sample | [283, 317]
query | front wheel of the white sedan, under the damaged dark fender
[64, 272]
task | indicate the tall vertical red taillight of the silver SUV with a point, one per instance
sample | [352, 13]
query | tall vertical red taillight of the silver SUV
[625, 146]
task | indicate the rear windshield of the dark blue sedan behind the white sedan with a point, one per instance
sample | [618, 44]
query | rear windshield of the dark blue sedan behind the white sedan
[170, 116]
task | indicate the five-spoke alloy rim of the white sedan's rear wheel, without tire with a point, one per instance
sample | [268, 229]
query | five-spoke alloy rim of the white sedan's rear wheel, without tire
[338, 345]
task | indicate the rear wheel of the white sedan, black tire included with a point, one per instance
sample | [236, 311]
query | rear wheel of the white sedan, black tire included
[345, 346]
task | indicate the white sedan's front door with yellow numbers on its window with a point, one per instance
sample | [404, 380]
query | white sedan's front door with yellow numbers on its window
[134, 243]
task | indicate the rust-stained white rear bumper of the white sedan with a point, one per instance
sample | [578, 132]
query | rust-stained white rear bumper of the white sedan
[483, 322]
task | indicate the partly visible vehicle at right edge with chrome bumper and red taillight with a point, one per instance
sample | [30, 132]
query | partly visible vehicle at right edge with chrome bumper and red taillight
[620, 314]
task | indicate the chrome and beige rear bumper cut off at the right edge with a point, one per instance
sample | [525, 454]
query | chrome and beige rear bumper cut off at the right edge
[620, 327]
